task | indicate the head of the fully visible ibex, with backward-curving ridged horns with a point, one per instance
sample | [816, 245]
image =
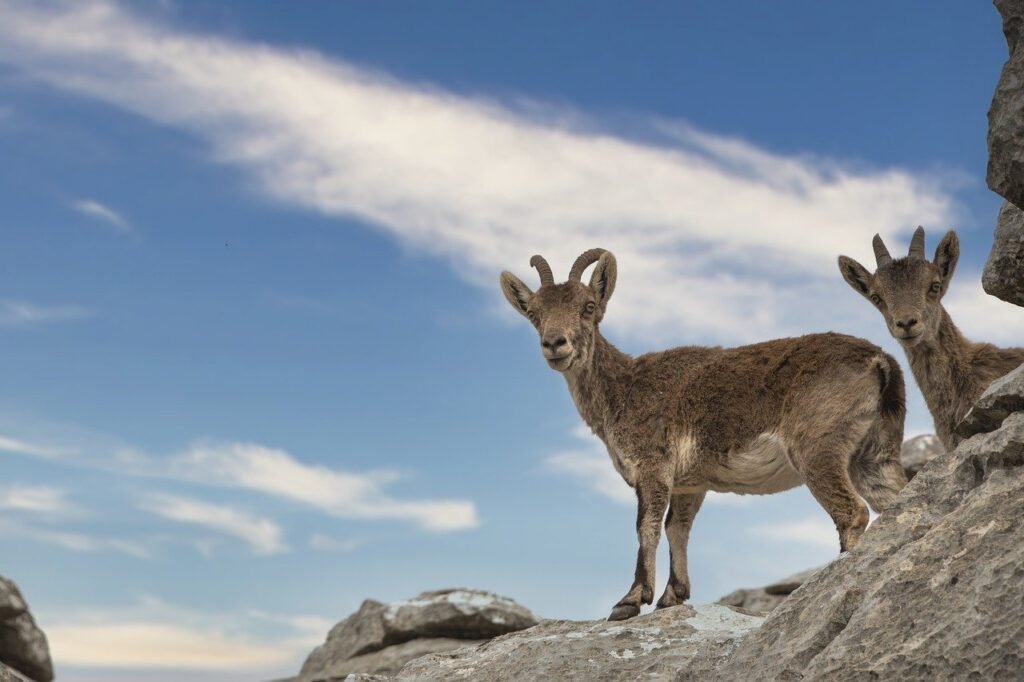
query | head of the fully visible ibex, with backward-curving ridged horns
[566, 315]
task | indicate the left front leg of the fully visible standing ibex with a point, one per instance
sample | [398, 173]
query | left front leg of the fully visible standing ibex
[653, 500]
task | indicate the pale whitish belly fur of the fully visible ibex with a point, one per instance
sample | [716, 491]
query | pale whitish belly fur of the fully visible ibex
[761, 468]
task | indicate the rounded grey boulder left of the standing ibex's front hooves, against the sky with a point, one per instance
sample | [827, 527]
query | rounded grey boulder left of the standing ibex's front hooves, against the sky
[380, 638]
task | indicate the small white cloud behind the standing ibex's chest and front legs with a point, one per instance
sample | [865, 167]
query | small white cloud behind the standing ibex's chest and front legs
[592, 468]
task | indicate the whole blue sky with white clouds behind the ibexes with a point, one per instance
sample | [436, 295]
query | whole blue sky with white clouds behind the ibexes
[257, 364]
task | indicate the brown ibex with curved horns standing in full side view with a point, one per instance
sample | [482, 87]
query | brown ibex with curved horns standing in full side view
[824, 410]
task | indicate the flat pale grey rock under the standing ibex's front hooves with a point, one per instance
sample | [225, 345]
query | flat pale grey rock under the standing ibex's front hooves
[679, 644]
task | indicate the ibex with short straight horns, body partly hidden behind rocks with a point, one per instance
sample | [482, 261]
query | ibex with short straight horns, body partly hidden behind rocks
[952, 371]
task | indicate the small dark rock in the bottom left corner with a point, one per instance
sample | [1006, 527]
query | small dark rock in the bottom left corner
[23, 645]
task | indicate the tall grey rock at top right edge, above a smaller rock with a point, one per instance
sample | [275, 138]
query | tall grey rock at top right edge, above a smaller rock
[1006, 116]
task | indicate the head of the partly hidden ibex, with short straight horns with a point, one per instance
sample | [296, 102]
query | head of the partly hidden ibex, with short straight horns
[907, 291]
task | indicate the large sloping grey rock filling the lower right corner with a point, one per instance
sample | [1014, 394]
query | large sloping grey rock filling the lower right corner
[934, 590]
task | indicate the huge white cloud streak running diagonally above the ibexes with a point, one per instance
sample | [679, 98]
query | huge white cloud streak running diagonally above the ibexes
[703, 226]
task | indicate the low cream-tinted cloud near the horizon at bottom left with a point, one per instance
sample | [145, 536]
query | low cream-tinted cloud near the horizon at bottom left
[154, 635]
